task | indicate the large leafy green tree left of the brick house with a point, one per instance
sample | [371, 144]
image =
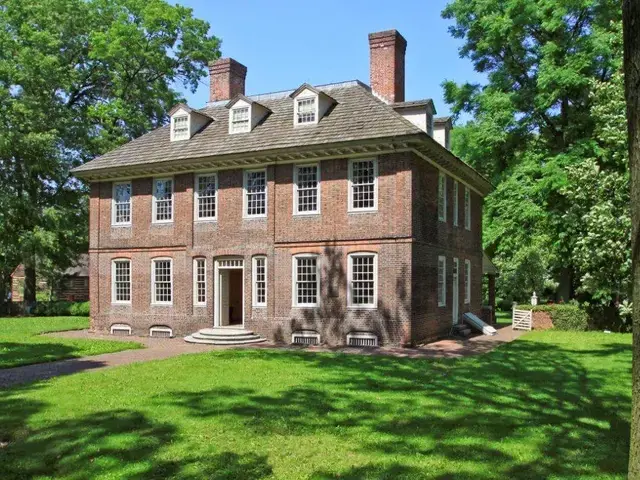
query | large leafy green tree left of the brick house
[78, 78]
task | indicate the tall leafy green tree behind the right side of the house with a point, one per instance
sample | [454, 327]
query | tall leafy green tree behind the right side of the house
[533, 120]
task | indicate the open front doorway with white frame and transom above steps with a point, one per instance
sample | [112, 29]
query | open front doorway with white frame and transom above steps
[229, 293]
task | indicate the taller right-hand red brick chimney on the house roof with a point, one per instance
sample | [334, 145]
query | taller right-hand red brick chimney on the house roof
[387, 51]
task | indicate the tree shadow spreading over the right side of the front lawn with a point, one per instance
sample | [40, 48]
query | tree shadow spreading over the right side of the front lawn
[526, 410]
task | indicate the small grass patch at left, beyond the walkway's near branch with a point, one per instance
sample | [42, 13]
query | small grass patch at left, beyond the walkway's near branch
[21, 342]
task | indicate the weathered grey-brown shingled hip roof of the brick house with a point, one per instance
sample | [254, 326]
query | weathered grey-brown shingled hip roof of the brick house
[356, 116]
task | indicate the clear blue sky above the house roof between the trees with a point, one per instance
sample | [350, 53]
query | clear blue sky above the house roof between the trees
[286, 43]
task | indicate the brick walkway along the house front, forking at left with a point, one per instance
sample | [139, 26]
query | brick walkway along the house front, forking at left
[160, 348]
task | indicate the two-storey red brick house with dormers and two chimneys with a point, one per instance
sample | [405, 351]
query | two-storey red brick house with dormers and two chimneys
[316, 214]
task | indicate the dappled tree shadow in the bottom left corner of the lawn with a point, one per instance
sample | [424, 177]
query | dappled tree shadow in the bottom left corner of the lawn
[117, 443]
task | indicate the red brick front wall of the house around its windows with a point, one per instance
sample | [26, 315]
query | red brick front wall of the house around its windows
[332, 234]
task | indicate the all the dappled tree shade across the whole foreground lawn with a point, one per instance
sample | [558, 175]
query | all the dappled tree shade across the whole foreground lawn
[526, 410]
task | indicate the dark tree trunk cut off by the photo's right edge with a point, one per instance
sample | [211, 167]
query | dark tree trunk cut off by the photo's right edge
[631, 26]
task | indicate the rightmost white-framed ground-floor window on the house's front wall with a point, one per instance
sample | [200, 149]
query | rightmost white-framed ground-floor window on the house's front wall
[362, 280]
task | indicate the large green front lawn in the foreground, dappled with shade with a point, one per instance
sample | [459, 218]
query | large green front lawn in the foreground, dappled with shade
[550, 405]
